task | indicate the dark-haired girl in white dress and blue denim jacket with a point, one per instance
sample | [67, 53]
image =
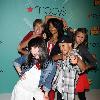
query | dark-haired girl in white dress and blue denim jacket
[27, 87]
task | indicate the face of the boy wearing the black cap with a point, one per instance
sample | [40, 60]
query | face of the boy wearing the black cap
[65, 47]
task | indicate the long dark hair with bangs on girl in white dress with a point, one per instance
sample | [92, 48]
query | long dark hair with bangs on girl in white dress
[43, 54]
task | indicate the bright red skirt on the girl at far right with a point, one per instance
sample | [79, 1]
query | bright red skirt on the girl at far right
[83, 83]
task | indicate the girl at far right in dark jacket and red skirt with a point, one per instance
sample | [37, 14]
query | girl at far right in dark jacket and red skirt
[81, 44]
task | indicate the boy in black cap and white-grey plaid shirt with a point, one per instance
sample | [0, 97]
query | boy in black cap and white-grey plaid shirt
[68, 70]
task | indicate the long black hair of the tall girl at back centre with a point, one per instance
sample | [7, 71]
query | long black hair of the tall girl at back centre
[58, 24]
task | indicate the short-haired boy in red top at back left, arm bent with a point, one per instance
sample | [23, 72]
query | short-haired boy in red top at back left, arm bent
[36, 32]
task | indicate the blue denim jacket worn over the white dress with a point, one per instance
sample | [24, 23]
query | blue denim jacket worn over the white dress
[47, 73]
